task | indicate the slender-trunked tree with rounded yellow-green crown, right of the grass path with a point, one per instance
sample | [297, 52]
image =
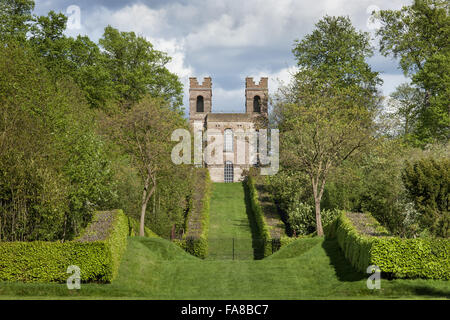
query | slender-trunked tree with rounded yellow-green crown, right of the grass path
[320, 131]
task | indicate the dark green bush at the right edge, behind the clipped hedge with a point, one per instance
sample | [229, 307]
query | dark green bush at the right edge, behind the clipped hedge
[428, 183]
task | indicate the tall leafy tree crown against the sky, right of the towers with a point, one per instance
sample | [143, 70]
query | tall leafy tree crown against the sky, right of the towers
[336, 51]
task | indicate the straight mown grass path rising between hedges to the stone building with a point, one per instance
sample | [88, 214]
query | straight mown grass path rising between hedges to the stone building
[229, 225]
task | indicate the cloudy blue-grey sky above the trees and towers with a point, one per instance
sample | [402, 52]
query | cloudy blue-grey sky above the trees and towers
[226, 40]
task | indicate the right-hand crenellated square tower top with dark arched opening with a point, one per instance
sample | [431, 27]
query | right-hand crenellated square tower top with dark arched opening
[256, 96]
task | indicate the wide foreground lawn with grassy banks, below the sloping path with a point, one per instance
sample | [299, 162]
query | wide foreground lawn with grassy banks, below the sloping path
[306, 269]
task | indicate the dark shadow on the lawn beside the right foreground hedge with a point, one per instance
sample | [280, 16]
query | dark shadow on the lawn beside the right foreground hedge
[343, 268]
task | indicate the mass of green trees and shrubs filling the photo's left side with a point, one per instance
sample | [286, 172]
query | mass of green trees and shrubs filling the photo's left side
[55, 167]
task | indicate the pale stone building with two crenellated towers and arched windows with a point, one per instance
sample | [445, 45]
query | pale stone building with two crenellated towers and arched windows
[227, 137]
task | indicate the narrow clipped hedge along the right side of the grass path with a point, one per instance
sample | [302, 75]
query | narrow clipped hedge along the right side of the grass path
[258, 214]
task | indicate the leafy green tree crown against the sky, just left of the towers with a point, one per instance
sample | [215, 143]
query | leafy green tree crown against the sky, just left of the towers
[137, 69]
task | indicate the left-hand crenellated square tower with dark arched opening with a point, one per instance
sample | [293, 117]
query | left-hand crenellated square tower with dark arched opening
[200, 96]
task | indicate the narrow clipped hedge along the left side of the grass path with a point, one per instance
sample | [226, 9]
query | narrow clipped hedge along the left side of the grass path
[198, 245]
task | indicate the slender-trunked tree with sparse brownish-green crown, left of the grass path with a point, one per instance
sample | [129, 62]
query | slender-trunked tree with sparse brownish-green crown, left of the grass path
[144, 132]
